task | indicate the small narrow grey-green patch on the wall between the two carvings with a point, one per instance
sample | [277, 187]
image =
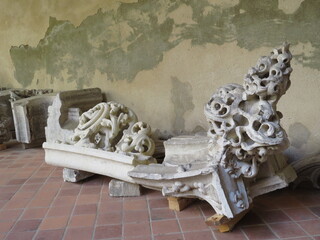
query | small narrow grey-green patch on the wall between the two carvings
[181, 98]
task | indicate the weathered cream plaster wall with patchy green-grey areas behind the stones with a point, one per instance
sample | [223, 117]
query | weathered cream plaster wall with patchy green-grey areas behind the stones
[165, 58]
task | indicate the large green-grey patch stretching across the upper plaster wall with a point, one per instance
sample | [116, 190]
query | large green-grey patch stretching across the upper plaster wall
[134, 37]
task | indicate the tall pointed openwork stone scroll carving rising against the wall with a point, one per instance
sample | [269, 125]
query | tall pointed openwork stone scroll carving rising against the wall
[244, 124]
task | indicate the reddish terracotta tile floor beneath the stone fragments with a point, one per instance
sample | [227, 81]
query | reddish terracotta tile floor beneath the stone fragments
[35, 203]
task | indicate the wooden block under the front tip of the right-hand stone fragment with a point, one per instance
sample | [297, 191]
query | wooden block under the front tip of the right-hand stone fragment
[223, 223]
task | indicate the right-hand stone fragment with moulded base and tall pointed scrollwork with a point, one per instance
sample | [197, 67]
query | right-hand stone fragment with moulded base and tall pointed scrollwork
[244, 132]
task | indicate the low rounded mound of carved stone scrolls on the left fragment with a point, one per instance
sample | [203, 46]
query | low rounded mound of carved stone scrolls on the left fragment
[113, 127]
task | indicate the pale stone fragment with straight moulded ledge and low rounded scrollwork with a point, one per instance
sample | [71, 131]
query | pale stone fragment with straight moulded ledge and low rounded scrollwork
[108, 140]
